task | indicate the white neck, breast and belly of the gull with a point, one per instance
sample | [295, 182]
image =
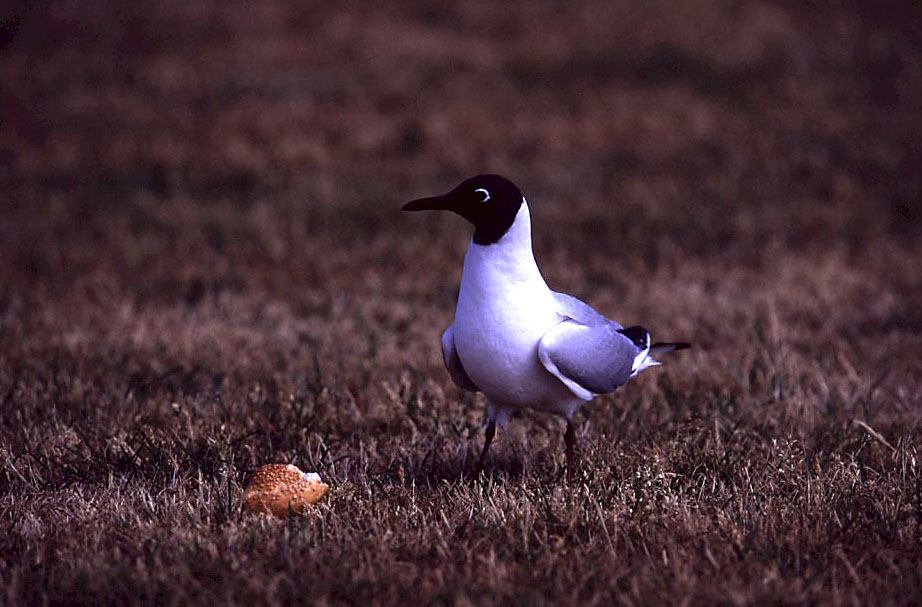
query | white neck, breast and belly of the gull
[504, 308]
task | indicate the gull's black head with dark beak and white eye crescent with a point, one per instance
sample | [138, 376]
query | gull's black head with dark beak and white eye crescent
[490, 202]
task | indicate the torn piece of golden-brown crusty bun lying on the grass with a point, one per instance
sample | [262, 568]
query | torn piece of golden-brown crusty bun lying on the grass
[283, 488]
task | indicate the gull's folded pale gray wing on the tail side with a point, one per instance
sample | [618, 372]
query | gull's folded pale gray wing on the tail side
[589, 359]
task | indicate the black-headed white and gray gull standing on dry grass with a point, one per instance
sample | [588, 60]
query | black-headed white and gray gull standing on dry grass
[515, 340]
